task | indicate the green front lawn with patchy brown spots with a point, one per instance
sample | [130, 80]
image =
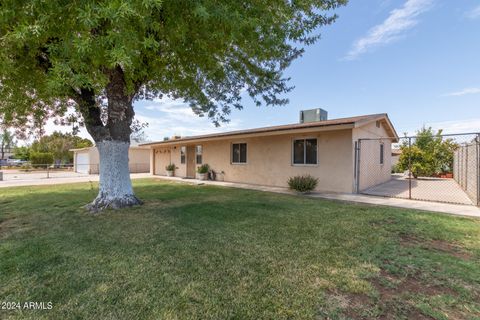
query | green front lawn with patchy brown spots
[204, 252]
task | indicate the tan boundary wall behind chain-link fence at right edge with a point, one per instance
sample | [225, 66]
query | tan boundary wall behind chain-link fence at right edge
[466, 170]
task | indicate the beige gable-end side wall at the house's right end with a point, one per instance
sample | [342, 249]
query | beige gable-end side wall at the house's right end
[371, 171]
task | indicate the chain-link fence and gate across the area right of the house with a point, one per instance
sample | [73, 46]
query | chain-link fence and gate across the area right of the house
[440, 168]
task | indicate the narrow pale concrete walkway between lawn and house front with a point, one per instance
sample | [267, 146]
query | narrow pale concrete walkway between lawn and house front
[460, 210]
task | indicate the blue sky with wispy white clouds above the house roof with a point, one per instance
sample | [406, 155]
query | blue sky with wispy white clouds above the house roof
[417, 60]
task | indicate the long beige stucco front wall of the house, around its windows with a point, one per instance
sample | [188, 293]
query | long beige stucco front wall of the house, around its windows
[269, 160]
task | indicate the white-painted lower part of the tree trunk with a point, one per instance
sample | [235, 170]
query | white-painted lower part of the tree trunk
[115, 188]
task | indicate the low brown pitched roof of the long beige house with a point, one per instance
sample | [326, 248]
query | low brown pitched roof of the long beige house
[354, 121]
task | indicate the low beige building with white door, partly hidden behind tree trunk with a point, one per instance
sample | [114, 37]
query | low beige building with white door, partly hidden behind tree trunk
[87, 160]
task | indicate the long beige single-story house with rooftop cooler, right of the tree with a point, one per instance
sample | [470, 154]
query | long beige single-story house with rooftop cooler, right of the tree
[269, 156]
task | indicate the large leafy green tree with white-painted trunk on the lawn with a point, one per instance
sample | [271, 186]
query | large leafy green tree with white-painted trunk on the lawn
[98, 57]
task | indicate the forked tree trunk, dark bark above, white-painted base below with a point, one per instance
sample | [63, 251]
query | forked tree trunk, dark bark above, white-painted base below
[113, 141]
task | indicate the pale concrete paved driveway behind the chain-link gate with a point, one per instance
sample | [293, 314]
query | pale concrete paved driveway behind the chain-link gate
[431, 189]
